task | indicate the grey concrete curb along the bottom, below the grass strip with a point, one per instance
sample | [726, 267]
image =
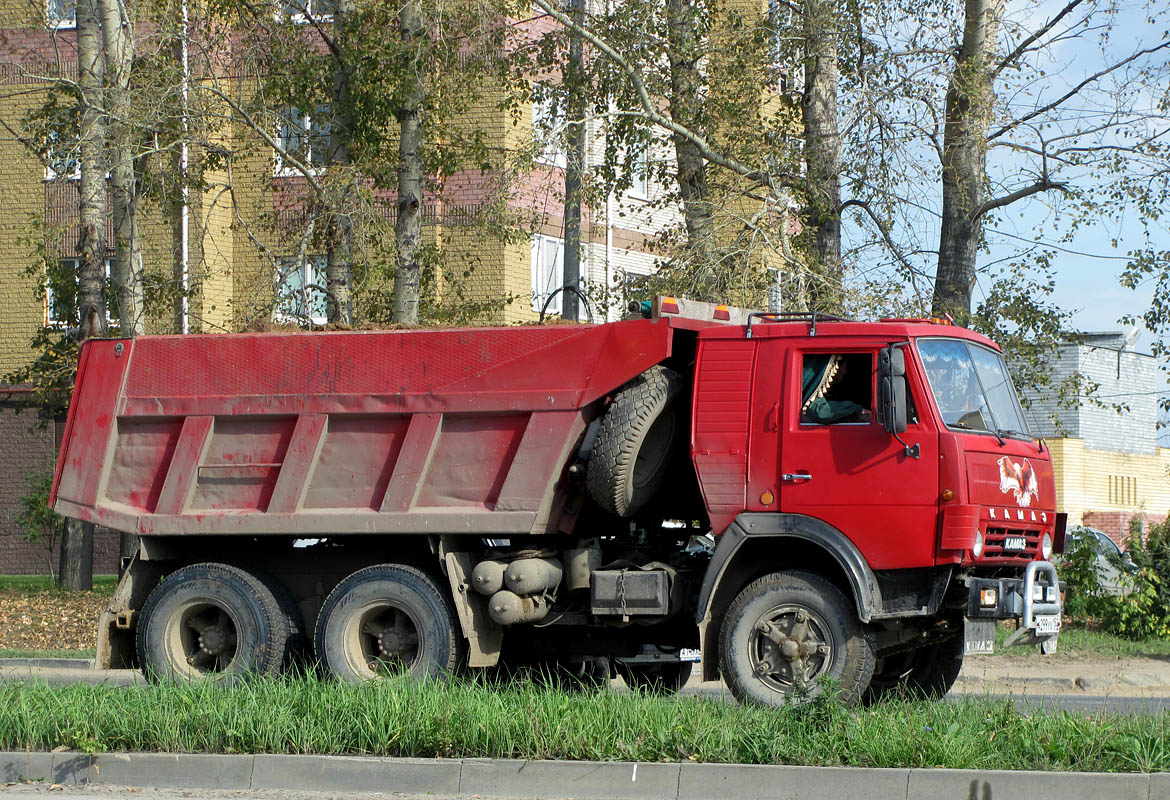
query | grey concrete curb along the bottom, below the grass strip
[566, 780]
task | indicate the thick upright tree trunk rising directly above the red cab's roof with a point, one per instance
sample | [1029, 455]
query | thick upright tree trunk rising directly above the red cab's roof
[823, 150]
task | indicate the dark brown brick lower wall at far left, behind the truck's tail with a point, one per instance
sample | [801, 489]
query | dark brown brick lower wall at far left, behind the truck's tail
[27, 451]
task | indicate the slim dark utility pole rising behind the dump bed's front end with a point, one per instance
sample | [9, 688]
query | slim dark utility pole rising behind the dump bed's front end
[575, 164]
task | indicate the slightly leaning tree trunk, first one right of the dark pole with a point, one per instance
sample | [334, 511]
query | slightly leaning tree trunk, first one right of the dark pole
[686, 105]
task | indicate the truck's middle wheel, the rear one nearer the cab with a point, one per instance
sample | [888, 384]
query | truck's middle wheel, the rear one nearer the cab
[388, 619]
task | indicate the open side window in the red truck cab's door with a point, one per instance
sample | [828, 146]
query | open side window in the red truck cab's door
[837, 389]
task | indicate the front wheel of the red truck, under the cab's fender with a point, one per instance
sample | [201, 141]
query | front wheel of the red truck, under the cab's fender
[788, 631]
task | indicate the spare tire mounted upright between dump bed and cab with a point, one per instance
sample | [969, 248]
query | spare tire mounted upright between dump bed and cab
[636, 443]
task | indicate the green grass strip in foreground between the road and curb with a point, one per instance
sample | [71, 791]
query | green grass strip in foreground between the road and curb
[401, 718]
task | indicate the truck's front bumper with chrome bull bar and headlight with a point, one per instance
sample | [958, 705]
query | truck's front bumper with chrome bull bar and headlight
[1035, 601]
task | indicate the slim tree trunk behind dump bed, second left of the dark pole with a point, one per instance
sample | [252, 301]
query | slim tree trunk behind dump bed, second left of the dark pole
[340, 265]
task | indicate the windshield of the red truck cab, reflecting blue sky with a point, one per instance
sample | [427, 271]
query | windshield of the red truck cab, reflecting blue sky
[972, 388]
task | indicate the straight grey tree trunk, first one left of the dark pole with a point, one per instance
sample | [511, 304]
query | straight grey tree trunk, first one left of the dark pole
[412, 137]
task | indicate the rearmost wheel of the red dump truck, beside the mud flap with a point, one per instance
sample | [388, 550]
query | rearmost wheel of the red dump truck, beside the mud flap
[212, 623]
